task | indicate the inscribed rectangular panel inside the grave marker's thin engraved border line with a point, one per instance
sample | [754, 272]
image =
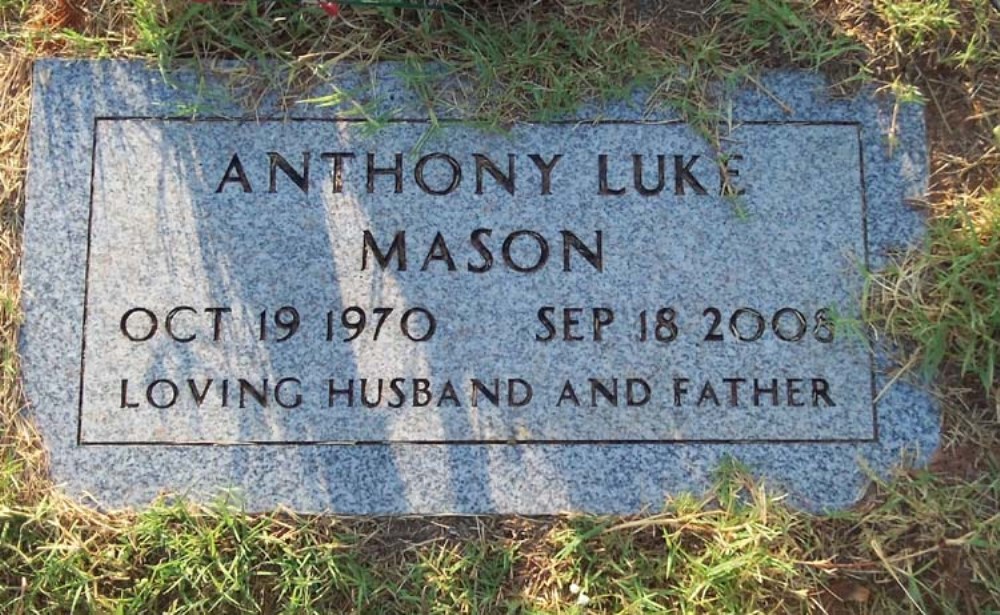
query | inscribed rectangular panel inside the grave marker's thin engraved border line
[304, 283]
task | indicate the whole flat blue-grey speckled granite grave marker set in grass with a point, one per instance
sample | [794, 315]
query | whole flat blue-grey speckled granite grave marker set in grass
[128, 210]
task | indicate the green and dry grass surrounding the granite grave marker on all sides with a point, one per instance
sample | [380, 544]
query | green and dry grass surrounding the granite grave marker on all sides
[926, 542]
